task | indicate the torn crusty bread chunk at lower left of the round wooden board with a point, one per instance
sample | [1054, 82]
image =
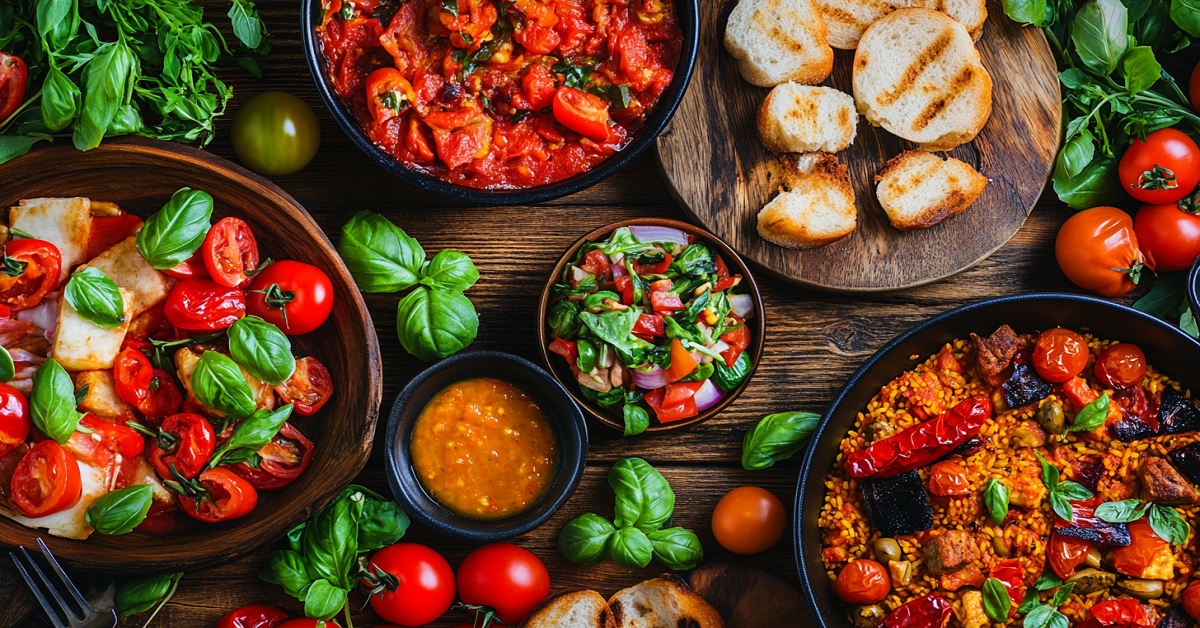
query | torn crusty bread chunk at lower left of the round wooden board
[817, 206]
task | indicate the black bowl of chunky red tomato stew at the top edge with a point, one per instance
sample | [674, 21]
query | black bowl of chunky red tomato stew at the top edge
[502, 101]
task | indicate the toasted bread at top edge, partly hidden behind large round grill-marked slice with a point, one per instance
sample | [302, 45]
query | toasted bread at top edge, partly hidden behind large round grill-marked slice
[848, 20]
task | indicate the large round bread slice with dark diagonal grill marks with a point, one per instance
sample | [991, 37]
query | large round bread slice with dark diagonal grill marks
[919, 75]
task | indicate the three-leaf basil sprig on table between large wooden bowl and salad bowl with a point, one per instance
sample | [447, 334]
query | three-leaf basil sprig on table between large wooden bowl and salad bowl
[434, 321]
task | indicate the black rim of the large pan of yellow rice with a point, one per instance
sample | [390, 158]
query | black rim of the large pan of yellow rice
[802, 560]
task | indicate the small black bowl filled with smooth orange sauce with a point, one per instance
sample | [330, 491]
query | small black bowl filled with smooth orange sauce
[485, 446]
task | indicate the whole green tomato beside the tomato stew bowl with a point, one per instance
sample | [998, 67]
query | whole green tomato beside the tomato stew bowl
[275, 134]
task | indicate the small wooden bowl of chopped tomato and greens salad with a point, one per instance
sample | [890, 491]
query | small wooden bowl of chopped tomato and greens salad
[652, 325]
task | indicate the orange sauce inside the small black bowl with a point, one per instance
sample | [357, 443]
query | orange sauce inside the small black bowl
[484, 450]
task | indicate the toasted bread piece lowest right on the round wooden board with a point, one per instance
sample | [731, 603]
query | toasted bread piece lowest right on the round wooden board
[920, 189]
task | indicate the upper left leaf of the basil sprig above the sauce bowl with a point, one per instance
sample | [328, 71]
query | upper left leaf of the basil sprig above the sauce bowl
[380, 255]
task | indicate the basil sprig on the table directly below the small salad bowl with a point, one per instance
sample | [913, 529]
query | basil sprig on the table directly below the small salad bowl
[645, 504]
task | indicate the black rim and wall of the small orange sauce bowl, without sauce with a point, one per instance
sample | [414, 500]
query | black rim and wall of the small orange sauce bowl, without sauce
[572, 464]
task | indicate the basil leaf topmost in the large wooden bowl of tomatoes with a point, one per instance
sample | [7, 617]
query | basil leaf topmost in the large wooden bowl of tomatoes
[173, 234]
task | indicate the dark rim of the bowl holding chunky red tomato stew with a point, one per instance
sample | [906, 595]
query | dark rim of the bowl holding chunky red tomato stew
[667, 107]
